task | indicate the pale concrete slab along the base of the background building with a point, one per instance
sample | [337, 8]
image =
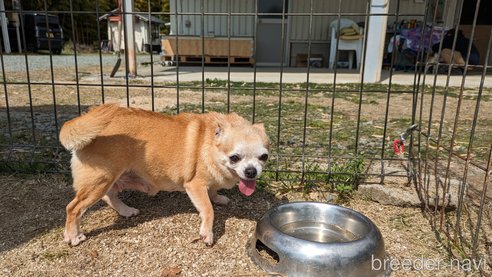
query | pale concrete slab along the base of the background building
[301, 75]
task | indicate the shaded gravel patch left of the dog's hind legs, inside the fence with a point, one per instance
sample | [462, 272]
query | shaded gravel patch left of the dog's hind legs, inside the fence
[31, 205]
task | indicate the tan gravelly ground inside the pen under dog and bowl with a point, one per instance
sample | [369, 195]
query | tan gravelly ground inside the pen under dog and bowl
[162, 240]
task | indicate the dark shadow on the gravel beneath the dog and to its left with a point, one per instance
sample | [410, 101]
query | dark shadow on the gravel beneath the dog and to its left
[32, 205]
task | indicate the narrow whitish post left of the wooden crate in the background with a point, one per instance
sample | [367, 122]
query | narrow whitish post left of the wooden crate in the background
[129, 20]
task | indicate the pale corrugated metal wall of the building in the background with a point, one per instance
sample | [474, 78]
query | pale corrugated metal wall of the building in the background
[243, 25]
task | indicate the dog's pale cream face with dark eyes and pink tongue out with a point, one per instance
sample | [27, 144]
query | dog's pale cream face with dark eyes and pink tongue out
[244, 151]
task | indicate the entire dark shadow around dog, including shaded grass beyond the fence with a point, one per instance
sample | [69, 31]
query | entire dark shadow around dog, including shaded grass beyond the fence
[32, 204]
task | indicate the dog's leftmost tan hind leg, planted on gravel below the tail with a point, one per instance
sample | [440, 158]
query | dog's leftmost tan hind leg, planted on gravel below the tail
[89, 191]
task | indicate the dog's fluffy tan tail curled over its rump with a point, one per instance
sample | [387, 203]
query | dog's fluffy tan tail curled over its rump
[79, 132]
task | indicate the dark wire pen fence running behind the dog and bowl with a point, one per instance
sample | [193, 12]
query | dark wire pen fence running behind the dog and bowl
[327, 125]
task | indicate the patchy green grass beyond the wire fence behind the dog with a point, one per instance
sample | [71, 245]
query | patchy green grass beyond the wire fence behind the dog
[288, 139]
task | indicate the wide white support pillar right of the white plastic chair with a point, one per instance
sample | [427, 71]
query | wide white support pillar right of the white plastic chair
[376, 33]
